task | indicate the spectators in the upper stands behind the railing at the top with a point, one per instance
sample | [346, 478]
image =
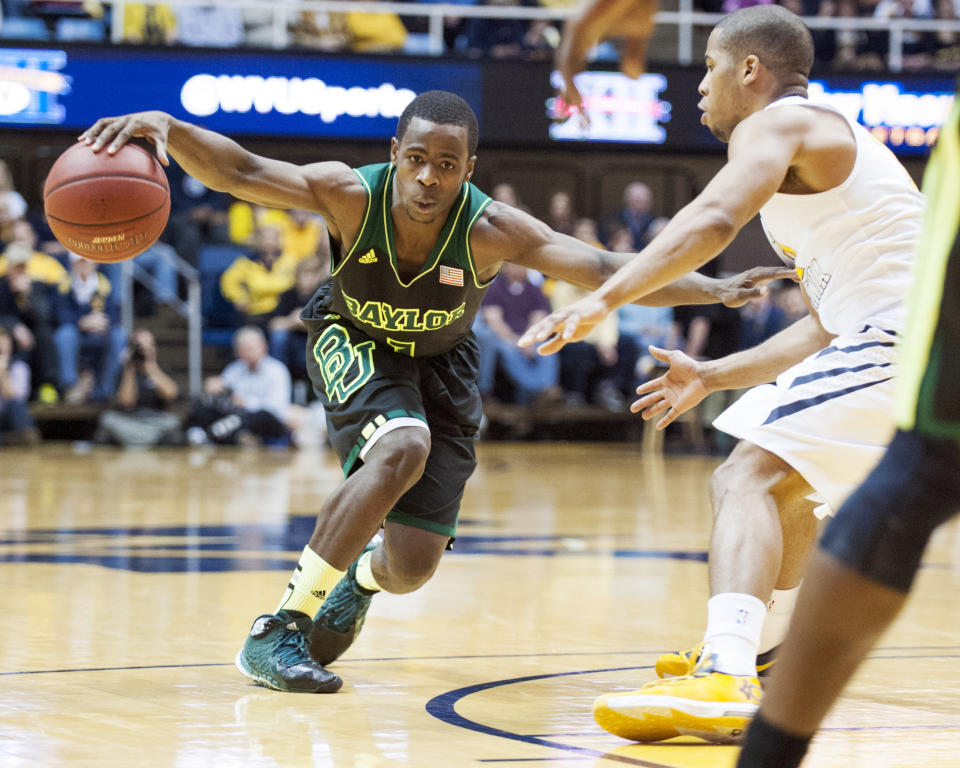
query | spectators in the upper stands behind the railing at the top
[221, 24]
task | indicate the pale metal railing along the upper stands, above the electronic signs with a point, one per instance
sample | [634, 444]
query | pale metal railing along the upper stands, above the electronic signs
[685, 19]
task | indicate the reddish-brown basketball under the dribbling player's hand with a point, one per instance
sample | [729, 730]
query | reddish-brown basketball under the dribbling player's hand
[106, 207]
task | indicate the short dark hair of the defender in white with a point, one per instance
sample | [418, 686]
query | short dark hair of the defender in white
[776, 36]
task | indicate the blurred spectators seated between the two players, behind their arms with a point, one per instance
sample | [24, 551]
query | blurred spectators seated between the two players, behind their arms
[605, 368]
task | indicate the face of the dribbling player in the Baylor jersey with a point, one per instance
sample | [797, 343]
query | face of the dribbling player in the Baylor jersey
[432, 163]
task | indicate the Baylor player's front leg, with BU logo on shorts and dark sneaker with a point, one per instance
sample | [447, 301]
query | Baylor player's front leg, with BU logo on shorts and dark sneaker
[376, 424]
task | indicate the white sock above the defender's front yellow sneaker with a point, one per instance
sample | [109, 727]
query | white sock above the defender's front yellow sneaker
[734, 622]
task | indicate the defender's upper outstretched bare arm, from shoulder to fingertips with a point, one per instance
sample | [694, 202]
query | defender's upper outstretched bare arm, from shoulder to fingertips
[761, 152]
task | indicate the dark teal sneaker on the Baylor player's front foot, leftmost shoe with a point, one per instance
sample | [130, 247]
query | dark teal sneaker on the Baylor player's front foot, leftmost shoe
[275, 655]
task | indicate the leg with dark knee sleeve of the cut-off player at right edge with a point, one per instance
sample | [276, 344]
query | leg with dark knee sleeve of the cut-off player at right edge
[869, 555]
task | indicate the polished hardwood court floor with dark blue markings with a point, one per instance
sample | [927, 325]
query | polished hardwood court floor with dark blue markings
[129, 580]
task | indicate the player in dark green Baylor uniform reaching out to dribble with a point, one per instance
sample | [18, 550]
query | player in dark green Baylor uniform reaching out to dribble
[390, 352]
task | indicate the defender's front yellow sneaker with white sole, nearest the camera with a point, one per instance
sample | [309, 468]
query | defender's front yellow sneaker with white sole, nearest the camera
[710, 705]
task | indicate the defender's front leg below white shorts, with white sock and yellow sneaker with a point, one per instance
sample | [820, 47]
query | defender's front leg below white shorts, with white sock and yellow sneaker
[759, 505]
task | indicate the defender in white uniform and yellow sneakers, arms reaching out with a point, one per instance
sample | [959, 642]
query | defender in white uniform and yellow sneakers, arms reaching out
[838, 206]
